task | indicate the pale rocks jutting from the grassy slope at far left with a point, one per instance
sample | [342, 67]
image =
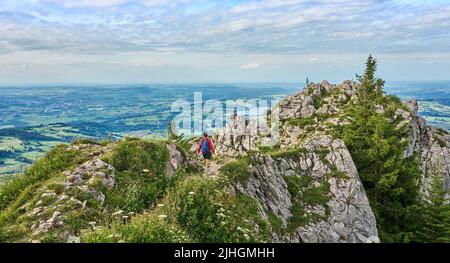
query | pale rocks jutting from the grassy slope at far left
[61, 198]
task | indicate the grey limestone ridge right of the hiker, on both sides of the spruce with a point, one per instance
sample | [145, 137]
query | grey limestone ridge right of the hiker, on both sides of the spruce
[308, 119]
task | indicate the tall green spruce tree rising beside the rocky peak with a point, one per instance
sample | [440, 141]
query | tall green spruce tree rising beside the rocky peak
[376, 145]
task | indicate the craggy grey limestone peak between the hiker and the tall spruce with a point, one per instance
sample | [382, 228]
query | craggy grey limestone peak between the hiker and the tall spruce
[341, 212]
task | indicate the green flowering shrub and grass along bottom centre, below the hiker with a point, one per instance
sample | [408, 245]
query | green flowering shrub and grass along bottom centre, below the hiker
[195, 210]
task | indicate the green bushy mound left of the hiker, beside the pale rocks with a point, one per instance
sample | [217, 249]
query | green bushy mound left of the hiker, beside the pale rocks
[141, 174]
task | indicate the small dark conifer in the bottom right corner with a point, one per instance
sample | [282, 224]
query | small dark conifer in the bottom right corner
[436, 210]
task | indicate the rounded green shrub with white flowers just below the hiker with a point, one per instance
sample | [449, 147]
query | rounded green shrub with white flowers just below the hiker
[209, 213]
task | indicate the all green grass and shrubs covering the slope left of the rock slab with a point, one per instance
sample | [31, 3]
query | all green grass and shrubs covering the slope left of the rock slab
[145, 205]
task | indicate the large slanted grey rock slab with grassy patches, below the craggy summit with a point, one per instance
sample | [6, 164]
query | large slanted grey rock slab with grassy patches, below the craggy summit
[346, 215]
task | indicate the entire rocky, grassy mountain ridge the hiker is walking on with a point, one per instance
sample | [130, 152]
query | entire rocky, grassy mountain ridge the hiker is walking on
[306, 188]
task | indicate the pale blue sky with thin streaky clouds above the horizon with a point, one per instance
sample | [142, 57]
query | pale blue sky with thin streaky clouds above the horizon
[171, 41]
